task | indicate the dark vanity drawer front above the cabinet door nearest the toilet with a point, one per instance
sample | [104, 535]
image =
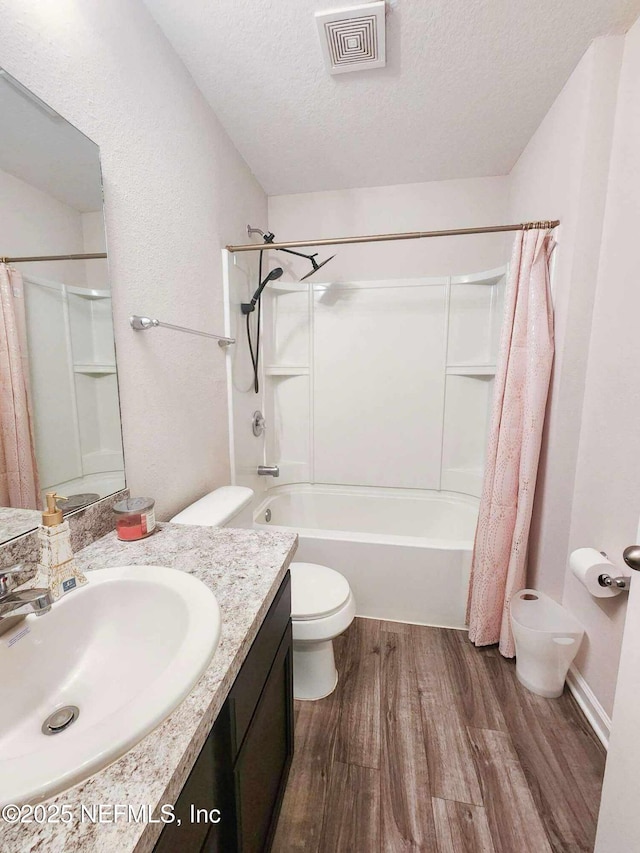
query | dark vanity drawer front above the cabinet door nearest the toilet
[246, 691]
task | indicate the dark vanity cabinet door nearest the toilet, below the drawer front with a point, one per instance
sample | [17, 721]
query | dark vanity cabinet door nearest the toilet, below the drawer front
[262, 766]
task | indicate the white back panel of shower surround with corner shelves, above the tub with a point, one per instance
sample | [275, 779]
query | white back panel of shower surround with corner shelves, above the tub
[381, 383]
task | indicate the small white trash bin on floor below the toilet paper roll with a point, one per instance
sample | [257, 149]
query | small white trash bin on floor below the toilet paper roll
[547, 639]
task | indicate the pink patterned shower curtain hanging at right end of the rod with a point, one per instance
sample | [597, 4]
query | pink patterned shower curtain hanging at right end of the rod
[498, 568]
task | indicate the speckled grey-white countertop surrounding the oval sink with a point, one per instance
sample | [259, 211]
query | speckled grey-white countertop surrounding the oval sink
[244, 568]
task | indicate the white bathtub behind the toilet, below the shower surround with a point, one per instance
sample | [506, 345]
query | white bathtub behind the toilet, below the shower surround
[406, 553]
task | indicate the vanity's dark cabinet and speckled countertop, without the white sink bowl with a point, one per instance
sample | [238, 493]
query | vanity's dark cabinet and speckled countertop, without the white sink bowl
[228, 745]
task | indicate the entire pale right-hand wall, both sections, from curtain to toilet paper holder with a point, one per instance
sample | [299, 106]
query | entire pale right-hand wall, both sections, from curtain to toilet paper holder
[587, 492]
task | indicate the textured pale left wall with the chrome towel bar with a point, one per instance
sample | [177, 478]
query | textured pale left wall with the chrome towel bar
[176, 190]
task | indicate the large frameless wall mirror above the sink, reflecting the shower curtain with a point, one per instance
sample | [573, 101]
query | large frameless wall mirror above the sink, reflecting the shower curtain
[59, 408]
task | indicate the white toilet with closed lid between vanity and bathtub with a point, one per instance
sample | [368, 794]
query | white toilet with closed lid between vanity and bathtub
[322, 604]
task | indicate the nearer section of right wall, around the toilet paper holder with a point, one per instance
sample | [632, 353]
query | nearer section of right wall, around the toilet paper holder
[606, 503]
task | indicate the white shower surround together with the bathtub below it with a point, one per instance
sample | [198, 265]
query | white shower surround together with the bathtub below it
[398, 525]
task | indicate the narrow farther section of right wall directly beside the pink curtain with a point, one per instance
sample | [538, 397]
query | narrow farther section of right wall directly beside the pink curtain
[563, 174]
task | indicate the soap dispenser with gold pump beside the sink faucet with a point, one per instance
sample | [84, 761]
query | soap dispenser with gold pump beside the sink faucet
[57, 569]
